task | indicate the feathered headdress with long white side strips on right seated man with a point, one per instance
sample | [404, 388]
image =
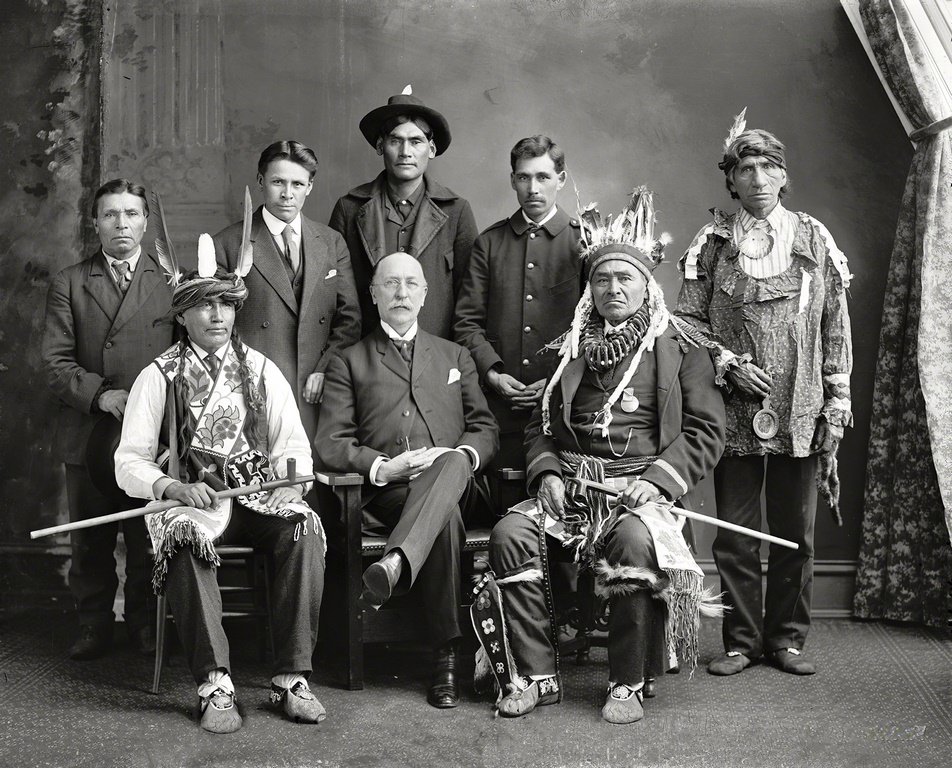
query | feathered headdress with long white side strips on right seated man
[629, 238]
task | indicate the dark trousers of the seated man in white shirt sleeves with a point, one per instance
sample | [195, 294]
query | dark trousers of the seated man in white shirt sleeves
[297, 586]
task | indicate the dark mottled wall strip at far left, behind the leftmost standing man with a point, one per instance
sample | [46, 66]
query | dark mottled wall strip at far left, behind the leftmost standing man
[50, 103]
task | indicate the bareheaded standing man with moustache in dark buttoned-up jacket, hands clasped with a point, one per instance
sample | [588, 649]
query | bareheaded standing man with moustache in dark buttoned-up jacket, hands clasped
[524, 278]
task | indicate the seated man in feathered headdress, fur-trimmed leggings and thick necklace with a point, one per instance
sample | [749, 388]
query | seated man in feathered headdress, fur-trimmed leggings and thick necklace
[635, 402]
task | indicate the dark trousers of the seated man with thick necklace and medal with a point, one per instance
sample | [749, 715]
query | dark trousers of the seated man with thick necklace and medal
[636, 625]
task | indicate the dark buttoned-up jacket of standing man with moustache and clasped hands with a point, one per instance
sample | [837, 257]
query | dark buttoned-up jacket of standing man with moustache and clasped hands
[519, 294]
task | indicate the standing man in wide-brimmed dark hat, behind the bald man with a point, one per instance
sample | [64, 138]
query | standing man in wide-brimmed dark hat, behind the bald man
[404, 209]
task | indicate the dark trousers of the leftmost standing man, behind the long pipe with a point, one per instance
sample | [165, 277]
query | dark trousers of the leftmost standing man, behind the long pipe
[92, 571]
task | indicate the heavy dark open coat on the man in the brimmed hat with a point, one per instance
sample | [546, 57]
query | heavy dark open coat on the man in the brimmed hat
[442, 240]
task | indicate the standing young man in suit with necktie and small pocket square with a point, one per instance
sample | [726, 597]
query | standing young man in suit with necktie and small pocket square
[303, 305]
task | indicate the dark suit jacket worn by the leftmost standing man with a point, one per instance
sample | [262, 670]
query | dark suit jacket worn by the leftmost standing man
[94, 337]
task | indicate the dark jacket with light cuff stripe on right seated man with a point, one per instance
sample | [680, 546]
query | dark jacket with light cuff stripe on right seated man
[690, 420]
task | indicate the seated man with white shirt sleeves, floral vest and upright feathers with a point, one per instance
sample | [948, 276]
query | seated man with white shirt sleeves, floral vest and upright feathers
[211, 412]
